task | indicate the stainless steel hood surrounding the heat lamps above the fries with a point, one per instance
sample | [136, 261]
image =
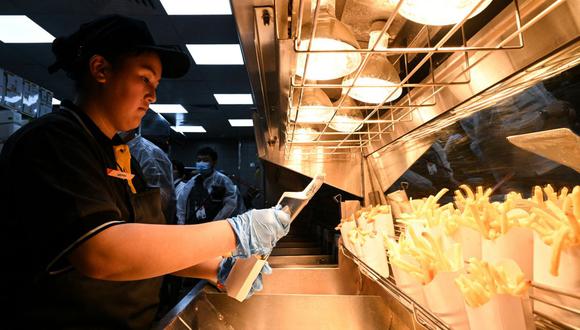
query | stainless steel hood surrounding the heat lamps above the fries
[475, 65]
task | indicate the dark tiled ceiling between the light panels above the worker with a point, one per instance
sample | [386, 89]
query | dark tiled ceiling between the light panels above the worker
[194, 91]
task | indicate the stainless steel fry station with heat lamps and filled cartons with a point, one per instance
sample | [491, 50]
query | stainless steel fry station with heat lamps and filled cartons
[453, 133]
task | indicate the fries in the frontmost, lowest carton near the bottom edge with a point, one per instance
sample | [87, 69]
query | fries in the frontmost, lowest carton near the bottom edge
[482, 281]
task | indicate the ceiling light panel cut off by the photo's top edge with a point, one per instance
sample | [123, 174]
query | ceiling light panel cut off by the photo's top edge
[197, 7]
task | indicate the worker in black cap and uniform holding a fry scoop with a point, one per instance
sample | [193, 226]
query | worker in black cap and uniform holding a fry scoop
[84, 239]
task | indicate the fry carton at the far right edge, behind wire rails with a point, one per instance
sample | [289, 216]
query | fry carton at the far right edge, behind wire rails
[555, 218]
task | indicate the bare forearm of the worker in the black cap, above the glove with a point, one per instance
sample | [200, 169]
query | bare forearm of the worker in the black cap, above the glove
[136, 251]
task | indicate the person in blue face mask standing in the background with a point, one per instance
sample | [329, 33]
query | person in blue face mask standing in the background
[209, 195]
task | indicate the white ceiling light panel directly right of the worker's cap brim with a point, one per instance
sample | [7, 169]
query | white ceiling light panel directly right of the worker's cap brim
[216, 54]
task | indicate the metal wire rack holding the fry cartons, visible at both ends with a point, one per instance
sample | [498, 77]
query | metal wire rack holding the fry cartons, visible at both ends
[422, 315]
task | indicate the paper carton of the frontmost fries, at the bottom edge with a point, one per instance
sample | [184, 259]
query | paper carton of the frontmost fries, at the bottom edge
[502, 312]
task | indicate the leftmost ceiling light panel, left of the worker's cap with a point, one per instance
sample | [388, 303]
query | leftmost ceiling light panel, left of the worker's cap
[21, 29]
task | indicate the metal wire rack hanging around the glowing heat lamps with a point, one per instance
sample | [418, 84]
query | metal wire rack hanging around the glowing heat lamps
[413, 59]
